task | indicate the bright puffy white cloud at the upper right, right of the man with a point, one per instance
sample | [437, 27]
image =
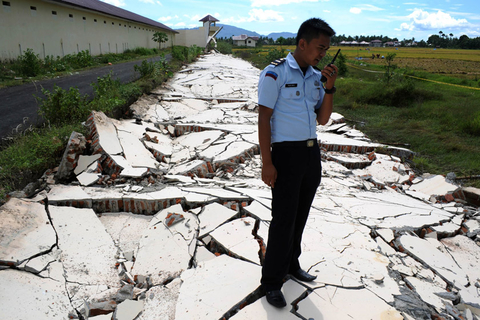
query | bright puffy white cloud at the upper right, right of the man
[423, 20]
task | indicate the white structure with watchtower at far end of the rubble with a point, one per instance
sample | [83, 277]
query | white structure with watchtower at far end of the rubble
[201, 36]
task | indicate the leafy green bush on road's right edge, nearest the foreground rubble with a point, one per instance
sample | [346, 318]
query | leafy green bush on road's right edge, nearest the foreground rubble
[63, 107]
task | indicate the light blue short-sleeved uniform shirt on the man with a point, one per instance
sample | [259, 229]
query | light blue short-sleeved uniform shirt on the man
[293, 98]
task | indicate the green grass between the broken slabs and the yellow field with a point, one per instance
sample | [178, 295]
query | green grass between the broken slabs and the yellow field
[432, 122]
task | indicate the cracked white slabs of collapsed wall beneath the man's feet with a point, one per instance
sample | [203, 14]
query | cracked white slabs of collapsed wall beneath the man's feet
[165, 216]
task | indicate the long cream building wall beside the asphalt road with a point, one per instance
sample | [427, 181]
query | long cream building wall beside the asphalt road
[69, 31]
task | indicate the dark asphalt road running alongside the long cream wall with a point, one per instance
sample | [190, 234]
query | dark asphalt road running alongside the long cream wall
[19, 108]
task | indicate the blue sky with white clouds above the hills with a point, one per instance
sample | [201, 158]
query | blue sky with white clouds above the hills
[401, 19]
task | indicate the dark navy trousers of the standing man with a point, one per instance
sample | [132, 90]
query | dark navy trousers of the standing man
[298, 176]
